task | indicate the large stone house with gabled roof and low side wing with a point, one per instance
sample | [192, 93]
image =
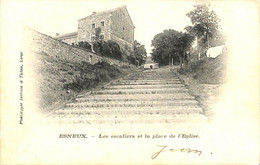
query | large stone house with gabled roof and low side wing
[115, 24]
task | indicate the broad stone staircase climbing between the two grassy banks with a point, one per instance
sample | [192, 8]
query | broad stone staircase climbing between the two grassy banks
[151, 96]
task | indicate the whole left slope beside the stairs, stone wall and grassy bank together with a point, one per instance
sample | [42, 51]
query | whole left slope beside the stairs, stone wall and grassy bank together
[64, 71]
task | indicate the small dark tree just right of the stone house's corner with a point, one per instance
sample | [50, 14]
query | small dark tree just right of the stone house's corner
[139, 52]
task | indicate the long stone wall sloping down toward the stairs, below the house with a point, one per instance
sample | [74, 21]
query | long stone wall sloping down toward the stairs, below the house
[42, 43]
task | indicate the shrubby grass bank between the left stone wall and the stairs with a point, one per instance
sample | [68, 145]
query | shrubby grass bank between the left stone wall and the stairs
[60, 81]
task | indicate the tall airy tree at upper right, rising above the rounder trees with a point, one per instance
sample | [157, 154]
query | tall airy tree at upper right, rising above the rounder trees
[205, 23]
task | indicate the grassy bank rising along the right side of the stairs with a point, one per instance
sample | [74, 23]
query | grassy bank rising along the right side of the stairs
[204, 80]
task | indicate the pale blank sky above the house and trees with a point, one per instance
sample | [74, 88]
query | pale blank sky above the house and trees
[149, 17]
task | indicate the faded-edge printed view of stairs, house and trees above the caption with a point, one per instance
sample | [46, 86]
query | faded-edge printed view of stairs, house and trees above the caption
[100, 73]
